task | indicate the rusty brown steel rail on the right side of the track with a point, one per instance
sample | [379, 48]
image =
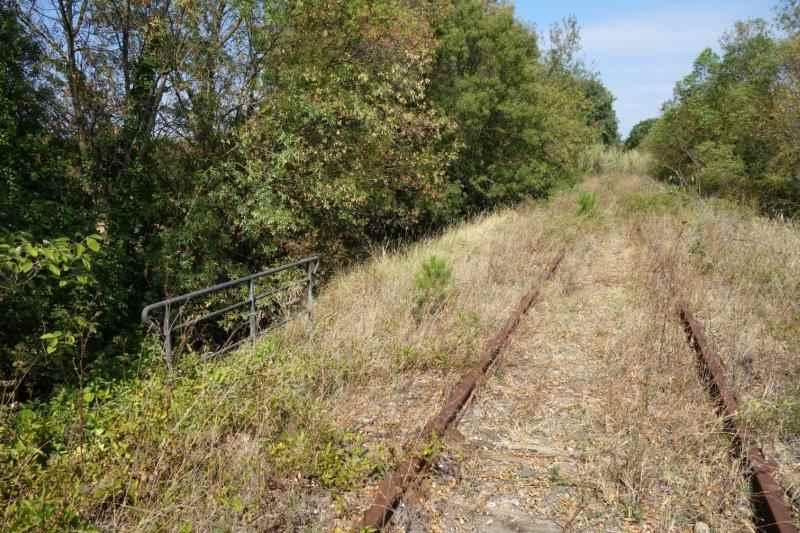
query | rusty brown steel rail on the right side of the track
[772, 515]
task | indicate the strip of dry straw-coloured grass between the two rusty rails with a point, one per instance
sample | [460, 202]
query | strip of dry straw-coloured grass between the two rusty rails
[599, 396]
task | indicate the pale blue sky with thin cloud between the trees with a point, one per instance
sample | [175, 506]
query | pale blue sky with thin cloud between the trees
[642, 47]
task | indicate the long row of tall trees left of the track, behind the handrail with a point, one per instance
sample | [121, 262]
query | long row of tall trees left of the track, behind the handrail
[149, 148]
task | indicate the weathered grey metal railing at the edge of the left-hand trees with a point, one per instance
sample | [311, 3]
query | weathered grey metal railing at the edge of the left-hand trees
[176, 317]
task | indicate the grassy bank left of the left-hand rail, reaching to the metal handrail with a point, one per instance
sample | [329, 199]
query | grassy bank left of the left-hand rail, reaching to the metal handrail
[248, 433]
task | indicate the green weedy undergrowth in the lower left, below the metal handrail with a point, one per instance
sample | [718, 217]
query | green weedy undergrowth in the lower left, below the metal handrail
[220, 428]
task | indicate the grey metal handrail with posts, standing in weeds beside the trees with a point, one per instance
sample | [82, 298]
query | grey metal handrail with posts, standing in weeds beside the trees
[167, 326]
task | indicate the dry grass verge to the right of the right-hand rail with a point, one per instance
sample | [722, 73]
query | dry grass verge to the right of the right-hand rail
[740, 273]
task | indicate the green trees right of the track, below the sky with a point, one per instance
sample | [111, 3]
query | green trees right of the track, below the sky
[733, 126]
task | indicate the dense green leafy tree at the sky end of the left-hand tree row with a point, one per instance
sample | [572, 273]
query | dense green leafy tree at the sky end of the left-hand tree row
[518, 129]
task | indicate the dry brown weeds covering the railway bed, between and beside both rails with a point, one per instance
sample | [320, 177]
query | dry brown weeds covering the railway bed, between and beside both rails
[594, 419]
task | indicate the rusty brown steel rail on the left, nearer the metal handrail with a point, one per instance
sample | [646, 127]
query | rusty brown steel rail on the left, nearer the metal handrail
[391, 489]
